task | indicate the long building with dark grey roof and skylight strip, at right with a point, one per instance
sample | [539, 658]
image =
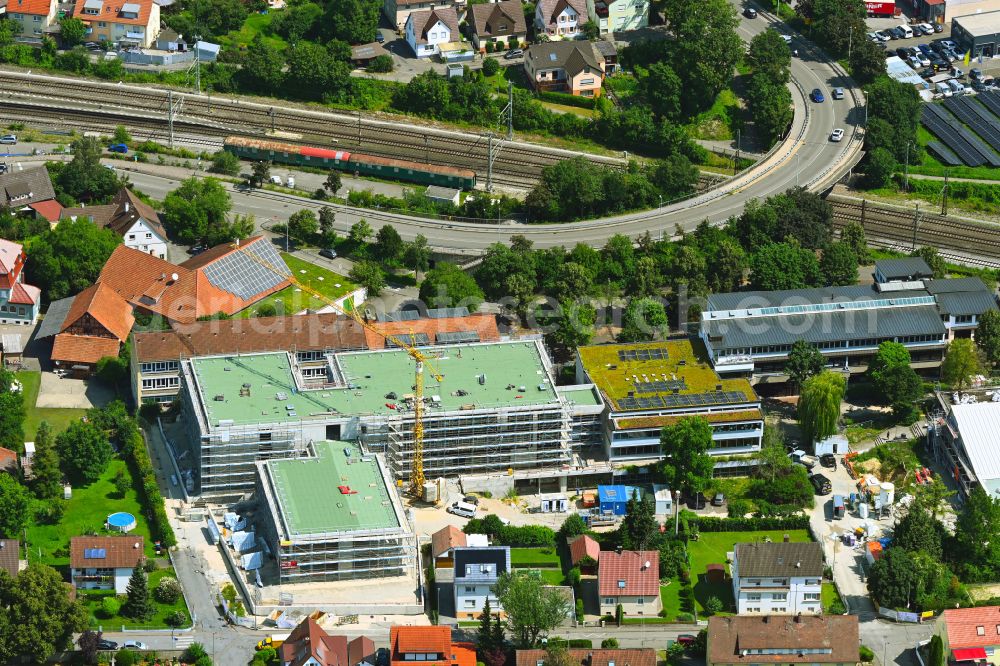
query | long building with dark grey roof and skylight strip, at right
[751, 333]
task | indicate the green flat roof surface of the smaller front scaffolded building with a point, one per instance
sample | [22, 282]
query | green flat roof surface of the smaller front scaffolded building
[308, 497]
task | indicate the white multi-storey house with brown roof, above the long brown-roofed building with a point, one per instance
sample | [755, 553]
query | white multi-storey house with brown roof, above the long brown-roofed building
[777, 578]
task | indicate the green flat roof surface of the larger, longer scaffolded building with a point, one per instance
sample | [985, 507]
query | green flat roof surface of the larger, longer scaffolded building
[372, 376]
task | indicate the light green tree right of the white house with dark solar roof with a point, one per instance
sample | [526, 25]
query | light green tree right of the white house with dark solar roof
[532, 610]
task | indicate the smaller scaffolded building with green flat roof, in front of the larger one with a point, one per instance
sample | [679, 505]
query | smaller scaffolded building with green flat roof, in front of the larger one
[334, 515]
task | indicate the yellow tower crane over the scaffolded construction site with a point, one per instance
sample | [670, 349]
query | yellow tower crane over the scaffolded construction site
[419, 358]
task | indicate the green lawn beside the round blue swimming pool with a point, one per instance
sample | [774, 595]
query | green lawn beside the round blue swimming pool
[85, 513]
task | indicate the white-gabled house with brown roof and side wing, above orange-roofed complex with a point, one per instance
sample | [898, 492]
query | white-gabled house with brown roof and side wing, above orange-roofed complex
[129, 217]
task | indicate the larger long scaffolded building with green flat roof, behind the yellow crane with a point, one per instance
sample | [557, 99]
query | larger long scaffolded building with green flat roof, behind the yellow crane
[495, 409]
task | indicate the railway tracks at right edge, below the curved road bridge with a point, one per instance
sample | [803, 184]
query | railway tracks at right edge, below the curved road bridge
[956, 239]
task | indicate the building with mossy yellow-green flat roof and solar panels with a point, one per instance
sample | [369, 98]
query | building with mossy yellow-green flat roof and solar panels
[647, 386]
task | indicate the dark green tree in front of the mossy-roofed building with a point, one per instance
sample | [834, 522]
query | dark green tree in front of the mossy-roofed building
[687, 467]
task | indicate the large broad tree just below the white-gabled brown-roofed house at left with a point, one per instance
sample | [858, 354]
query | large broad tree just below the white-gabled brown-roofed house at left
[67, 259]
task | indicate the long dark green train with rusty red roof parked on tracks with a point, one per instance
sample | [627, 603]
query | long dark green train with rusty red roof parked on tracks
[355, 163]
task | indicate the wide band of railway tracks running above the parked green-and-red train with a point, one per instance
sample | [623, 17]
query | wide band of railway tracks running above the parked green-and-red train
[516, 163]
